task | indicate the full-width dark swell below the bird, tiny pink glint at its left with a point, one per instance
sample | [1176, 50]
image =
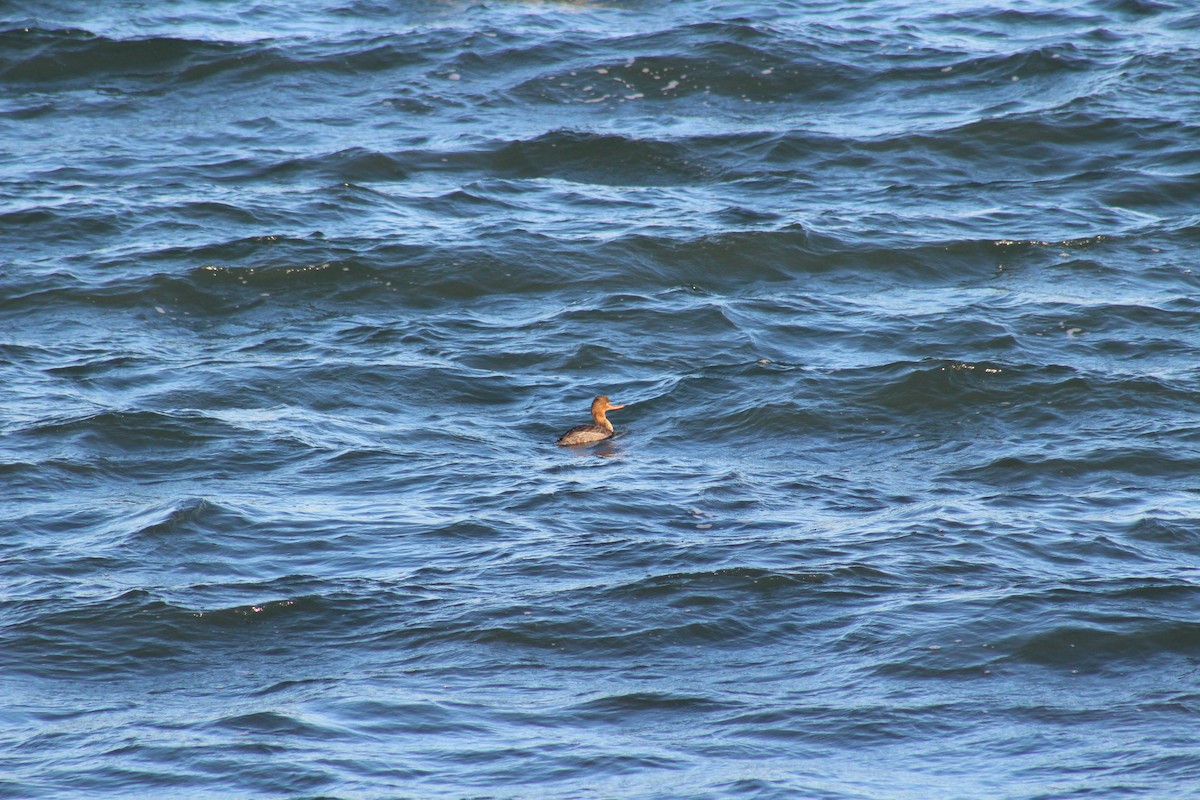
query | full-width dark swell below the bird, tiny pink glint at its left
[1096, 627]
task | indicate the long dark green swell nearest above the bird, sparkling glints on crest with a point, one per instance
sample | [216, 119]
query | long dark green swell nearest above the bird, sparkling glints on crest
[256, 273]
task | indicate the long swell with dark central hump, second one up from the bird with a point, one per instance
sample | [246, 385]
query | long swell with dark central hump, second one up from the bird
[1069, 136]
